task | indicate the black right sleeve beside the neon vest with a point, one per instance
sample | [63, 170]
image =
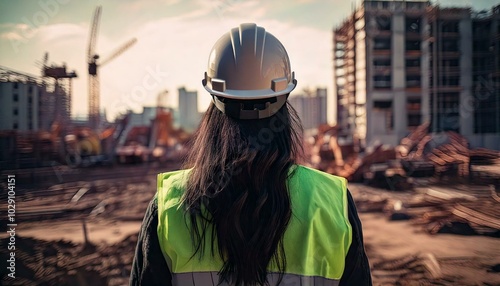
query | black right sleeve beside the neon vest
[357, 268]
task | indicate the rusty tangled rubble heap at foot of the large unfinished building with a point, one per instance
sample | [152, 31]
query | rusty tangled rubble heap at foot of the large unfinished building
[420, 154]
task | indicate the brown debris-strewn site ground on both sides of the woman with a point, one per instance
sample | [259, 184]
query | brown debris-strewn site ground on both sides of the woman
[51, 249]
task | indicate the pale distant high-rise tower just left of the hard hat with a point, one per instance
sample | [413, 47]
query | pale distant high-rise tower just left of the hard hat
[188, 109]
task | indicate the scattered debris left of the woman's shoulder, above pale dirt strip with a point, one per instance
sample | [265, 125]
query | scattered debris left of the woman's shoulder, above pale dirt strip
[105, 196]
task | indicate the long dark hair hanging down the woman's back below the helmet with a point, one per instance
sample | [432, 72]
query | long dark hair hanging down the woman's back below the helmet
[237, 190]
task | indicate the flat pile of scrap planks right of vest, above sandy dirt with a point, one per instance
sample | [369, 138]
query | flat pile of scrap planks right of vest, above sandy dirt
[461, 210]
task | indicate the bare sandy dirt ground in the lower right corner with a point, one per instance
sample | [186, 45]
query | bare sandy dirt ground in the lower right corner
[463, 260]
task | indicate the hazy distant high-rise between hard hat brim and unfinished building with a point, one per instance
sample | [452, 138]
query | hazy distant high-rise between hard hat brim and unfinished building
[311, 107]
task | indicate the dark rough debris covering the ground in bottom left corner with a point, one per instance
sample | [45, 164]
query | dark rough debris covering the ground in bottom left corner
[40, 262]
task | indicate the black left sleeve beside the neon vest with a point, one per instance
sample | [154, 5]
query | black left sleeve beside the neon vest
[149, 266]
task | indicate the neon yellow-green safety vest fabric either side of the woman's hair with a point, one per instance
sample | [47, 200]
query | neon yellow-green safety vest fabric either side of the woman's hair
[316, 241]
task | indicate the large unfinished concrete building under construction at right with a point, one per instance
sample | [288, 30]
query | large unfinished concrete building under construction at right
[398, 64]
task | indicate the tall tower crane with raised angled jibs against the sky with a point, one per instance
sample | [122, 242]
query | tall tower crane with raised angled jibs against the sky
[93, 68]
